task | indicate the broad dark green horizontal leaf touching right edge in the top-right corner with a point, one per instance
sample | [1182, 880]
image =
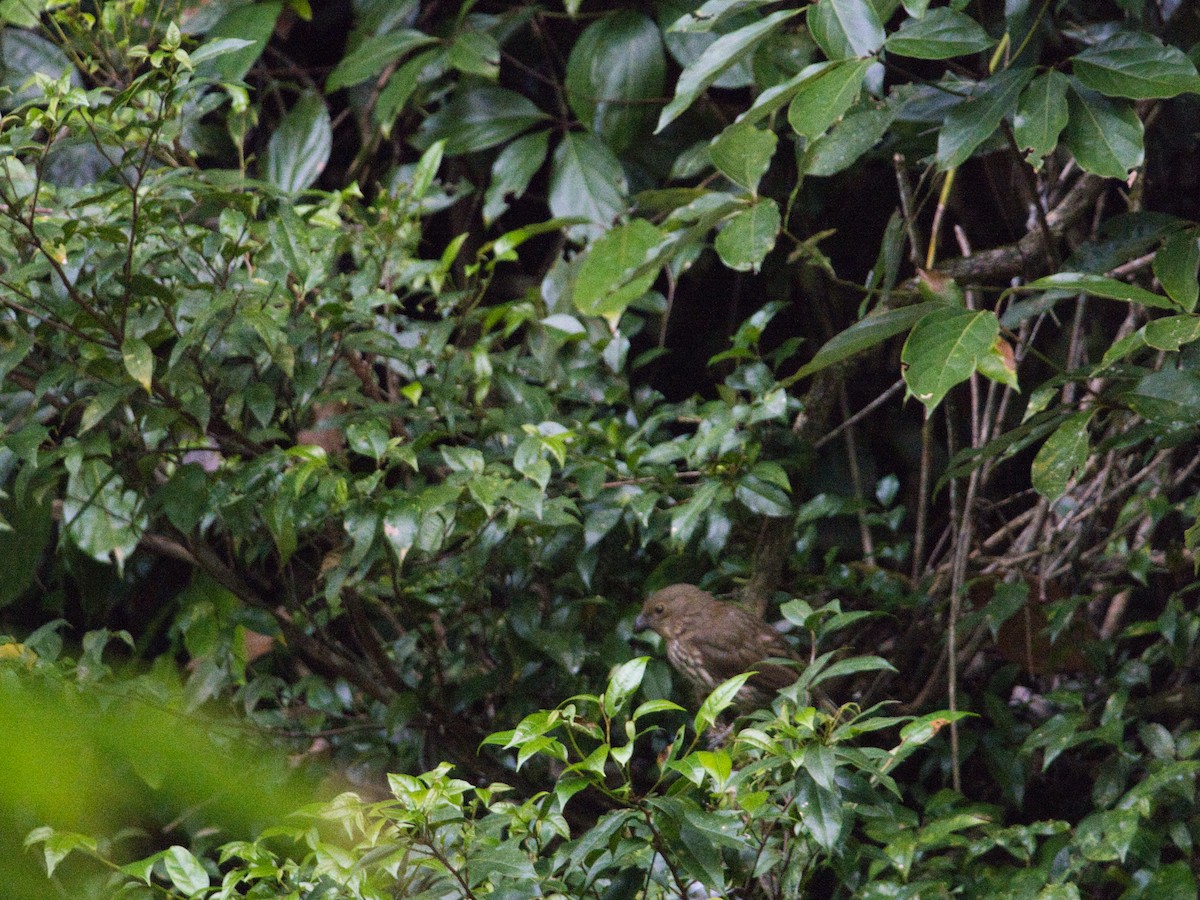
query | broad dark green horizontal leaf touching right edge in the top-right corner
[1136, 65]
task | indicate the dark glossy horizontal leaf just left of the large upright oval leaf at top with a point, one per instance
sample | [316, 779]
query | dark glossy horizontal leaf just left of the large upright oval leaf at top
[478, 117]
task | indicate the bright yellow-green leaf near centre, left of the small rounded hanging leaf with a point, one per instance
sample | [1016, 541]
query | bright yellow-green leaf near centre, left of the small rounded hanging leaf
[603, 286]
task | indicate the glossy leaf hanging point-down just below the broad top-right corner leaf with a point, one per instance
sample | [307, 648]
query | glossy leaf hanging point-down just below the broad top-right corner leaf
[1105, 136]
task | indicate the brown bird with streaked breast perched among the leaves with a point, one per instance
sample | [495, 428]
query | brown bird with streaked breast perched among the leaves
[709, 643]
